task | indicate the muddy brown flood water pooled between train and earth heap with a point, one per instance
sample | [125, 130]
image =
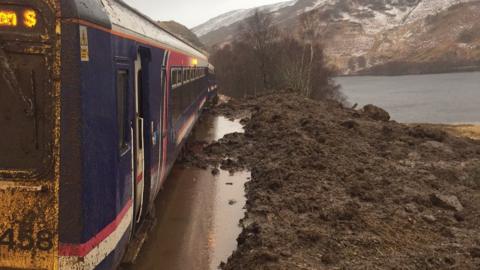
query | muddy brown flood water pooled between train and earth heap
[197, 213]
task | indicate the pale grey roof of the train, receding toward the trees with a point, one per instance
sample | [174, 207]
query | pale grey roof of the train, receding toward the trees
[119, 16]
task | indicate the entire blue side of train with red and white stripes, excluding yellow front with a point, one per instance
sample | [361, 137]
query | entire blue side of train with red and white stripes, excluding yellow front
[97, 218]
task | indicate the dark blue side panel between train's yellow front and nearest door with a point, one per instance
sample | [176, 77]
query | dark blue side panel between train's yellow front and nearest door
[105, 207]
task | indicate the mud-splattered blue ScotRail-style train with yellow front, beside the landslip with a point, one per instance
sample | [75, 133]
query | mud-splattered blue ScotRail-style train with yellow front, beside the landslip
[96, 103]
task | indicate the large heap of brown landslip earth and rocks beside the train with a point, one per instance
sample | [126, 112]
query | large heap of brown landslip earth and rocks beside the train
[337, 188]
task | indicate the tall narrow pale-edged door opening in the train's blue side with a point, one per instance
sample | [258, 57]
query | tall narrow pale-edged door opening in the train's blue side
[139, 143]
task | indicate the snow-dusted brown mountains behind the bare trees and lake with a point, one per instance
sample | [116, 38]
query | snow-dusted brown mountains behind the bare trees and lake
[373, 36]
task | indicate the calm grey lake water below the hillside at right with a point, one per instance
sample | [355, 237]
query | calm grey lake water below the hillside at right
[439, 98]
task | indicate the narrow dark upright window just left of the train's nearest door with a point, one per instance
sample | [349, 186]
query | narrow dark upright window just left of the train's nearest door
[122, 107]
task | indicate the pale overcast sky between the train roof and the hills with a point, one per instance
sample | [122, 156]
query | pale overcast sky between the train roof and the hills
[192, 12]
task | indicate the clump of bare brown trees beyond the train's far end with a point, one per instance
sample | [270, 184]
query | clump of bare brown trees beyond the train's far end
[263, 58]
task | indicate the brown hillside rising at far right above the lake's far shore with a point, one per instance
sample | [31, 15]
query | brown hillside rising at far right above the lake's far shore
[426, 45]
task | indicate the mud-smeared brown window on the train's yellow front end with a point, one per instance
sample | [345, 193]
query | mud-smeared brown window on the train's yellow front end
[26, 109]
